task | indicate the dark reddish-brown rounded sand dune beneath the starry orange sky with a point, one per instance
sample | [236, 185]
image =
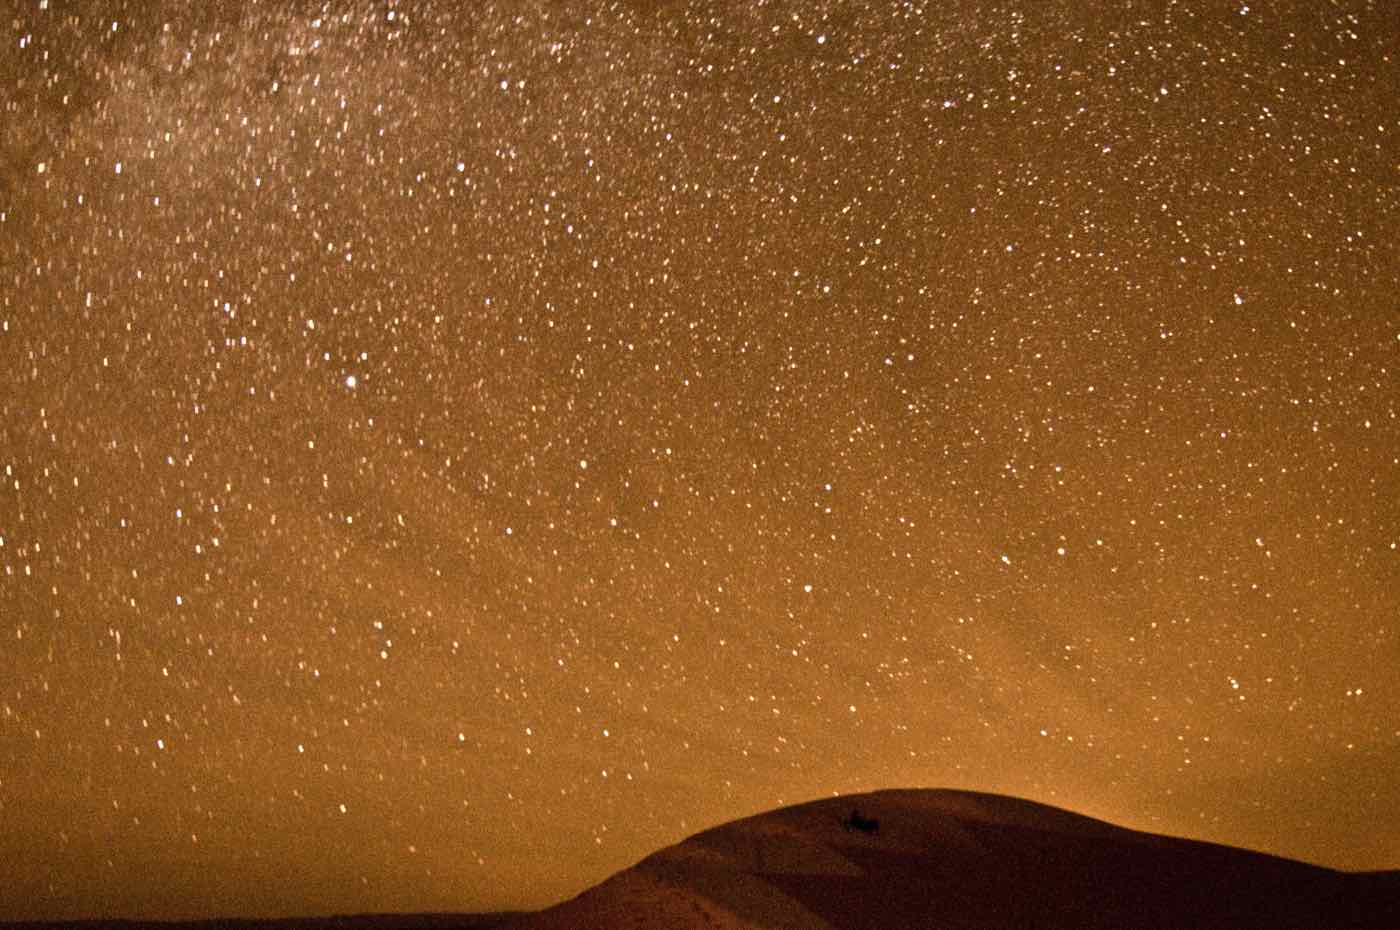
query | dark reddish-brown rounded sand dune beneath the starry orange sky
[958, 861]
